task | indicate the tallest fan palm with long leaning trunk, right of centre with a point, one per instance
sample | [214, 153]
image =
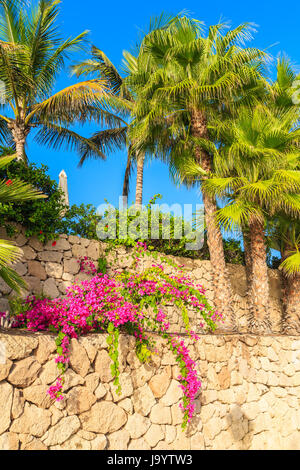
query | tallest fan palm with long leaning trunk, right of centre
[195, 78]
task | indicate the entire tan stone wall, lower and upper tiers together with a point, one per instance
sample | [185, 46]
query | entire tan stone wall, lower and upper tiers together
[250, 385]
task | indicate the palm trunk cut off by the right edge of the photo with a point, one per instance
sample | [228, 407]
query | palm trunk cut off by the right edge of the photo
[292, 312]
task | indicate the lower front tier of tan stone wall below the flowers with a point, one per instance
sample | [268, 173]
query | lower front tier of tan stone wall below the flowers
[249, 400]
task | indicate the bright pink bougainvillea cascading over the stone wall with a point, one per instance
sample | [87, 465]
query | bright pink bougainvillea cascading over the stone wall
[95, 304]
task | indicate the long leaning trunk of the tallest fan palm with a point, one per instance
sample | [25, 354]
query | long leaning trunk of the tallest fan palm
[222, 285]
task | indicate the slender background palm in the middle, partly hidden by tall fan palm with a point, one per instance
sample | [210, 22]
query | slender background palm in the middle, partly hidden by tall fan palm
[122, 101]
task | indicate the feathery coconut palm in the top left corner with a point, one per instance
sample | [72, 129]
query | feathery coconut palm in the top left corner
[32, 55]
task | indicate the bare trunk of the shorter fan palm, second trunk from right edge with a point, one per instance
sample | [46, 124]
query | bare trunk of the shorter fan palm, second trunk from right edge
[259, 281]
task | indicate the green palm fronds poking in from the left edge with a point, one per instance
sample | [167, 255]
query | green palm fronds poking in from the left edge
[13, 191]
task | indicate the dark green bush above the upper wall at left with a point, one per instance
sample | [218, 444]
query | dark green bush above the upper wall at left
[45, 218]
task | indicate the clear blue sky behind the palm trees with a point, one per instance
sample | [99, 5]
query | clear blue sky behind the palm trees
[113, 28]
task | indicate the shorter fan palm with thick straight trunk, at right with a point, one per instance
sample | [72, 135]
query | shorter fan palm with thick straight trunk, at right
[257, 179]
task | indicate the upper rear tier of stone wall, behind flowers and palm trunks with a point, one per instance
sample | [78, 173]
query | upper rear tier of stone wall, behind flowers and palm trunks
[50, 268]
